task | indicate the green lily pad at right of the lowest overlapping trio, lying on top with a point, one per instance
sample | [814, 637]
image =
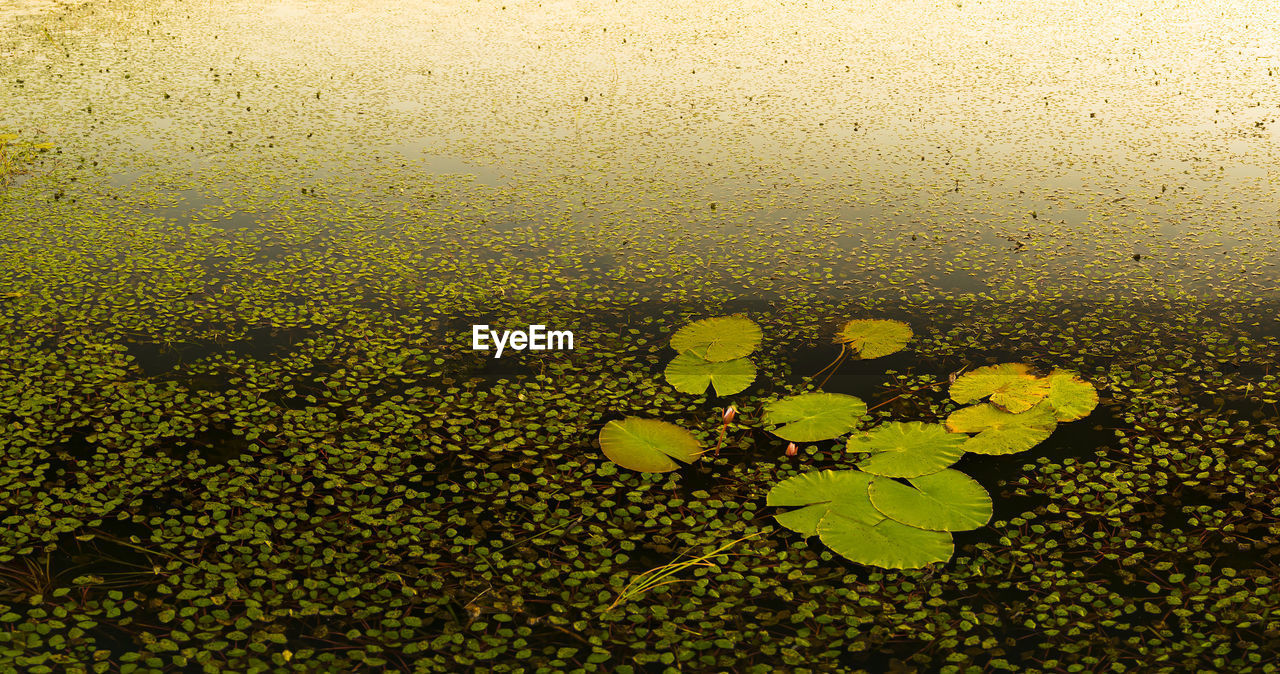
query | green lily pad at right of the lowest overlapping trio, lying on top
[947, 501]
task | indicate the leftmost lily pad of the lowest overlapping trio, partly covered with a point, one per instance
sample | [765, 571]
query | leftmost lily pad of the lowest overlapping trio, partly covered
[817, 493]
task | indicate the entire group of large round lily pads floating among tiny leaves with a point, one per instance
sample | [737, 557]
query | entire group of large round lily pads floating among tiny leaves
[899, 505]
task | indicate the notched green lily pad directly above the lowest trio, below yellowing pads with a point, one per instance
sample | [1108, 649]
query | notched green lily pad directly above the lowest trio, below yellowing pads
[908, 450]
